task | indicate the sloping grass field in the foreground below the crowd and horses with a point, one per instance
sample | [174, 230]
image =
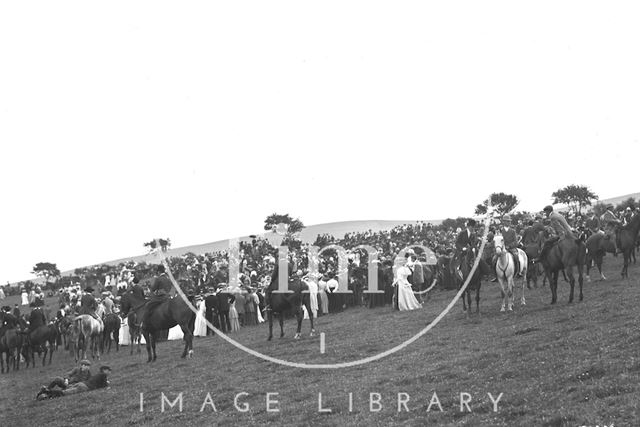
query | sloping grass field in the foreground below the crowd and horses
[556, 365]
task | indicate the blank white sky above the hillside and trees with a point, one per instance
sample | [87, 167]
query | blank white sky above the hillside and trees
[124, 121]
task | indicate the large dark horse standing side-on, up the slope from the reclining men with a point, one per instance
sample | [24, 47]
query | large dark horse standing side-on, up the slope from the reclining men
[171, 312]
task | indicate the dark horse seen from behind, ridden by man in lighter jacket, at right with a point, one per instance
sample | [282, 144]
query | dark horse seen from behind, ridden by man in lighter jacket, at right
[563, 255]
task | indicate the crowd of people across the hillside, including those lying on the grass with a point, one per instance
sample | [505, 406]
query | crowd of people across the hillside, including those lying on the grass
[233, 304]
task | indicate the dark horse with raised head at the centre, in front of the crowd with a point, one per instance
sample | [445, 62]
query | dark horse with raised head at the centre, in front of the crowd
[282, 302]
